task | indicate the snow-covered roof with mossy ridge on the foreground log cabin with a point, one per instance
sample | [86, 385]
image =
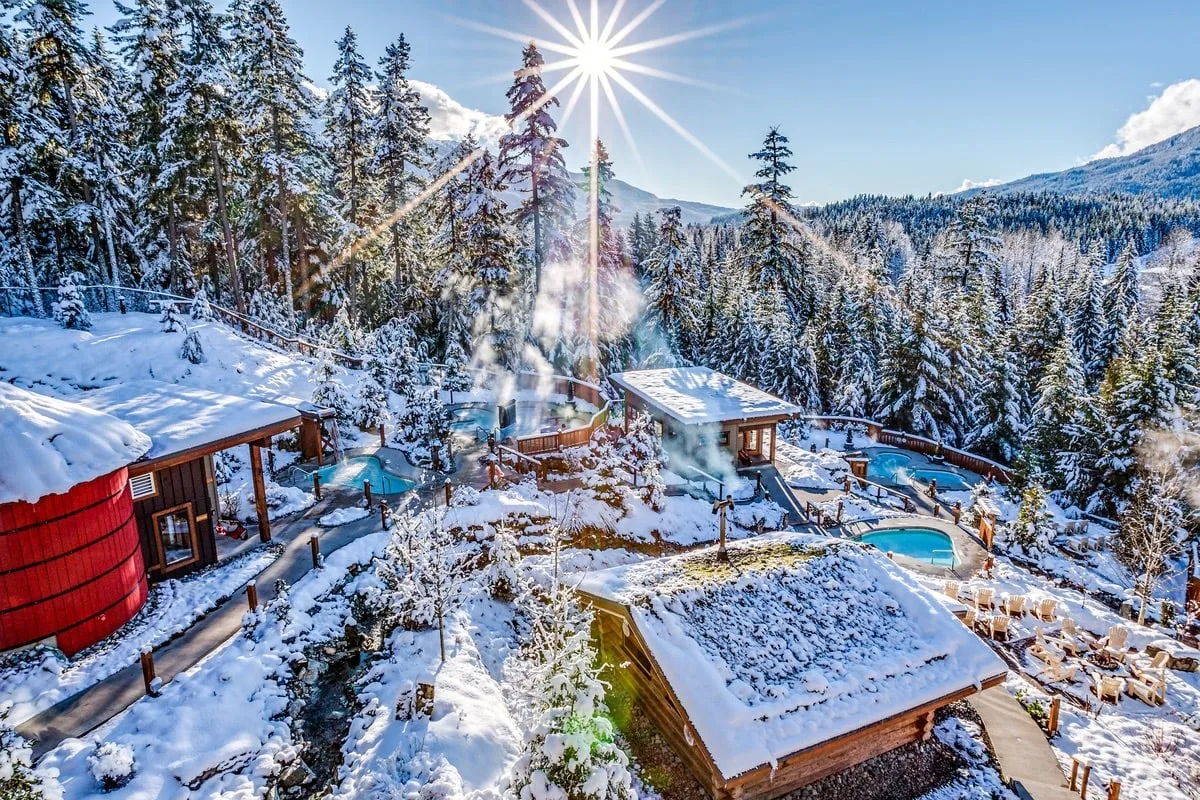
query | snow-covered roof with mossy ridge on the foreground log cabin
[801, 640]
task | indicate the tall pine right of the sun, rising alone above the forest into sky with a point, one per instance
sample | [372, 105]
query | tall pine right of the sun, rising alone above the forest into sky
[770, 251]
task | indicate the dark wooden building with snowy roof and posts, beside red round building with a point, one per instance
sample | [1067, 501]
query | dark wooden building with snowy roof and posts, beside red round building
[175, 486]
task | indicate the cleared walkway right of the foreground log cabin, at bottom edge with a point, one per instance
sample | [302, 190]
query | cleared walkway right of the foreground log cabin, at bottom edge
[1027, 761]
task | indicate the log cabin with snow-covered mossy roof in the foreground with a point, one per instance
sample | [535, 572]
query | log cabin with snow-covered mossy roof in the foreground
[799, 659]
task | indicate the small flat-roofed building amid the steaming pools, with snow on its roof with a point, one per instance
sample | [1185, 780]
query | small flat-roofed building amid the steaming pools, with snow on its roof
[704, 414]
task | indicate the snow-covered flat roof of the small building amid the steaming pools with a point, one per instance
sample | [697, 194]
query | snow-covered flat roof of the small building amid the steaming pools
[701, 396]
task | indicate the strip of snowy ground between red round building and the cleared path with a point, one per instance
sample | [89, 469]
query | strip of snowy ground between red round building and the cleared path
[38, 679]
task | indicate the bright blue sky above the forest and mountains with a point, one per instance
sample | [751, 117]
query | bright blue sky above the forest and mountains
[877, 97]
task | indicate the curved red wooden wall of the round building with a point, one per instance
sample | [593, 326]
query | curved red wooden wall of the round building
[70, 566]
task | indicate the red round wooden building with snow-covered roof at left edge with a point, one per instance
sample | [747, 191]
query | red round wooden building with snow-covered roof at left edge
[71, 566]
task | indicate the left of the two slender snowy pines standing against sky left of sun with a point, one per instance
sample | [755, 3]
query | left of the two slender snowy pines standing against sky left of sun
[352, 146]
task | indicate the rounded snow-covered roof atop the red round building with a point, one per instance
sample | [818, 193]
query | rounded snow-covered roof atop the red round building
[51, 444]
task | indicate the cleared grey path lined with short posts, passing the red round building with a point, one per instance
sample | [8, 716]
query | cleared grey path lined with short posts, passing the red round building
[82, 713]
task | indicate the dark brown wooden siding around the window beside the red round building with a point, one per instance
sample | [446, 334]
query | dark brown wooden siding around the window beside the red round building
[188, 483]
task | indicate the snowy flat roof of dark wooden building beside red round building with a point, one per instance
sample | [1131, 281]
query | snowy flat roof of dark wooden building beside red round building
[182, 418]
